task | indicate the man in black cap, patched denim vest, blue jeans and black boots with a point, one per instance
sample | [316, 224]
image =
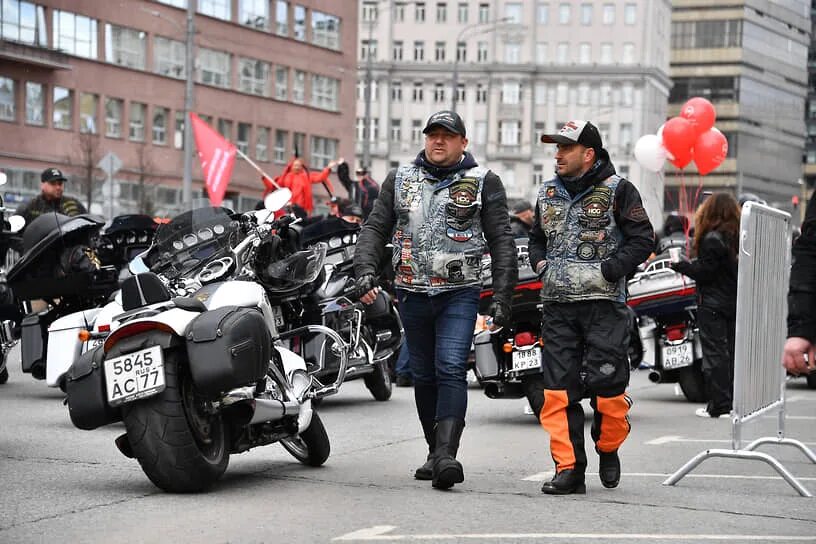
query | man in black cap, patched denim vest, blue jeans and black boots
[438, 211]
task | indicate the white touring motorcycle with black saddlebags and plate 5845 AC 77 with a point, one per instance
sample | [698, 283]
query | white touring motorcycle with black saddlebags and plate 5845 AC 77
[194, 364]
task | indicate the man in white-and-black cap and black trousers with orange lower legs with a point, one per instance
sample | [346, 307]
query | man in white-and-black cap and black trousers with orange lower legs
[590, 231]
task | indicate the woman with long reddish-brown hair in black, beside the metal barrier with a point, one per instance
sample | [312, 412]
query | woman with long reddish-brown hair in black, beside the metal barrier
[714, 269]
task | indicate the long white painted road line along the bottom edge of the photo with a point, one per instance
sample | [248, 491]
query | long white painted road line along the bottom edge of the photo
[380, 532]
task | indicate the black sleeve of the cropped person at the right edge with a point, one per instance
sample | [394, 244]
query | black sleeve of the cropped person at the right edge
[802, 293]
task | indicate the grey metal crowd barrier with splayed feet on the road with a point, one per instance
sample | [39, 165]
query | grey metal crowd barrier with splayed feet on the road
[759, 378]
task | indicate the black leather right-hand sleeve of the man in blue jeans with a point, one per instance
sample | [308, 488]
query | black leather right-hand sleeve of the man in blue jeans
[500, 243]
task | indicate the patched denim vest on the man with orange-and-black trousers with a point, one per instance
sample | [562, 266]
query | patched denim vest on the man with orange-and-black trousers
[581, 233]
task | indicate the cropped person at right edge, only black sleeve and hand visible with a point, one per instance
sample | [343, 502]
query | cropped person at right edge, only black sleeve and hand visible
[799, 356]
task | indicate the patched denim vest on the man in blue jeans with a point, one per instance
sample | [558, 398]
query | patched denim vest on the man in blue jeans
[438, 241]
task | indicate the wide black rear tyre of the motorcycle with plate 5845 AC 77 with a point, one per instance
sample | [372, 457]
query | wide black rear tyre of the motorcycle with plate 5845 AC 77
[181, 448]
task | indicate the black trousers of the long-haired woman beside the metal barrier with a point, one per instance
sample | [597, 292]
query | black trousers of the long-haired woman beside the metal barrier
[717, 336]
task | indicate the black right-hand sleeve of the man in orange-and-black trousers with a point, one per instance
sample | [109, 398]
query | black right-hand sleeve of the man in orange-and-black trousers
[638, 233]
